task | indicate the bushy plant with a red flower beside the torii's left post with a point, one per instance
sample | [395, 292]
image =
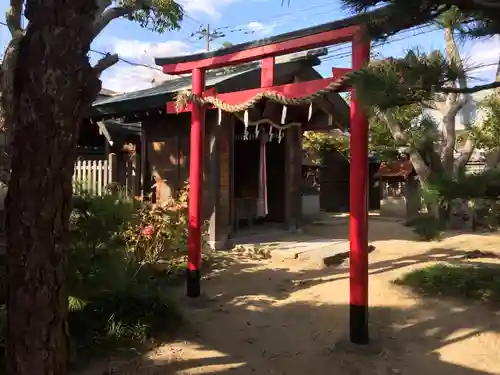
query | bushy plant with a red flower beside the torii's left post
[159, 232]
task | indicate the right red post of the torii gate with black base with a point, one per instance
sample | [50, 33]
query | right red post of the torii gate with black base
[358, 220]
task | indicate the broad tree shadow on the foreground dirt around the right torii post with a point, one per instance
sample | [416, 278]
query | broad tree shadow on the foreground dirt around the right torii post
[301, 338]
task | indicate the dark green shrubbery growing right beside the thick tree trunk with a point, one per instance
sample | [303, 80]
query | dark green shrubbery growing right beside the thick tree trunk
[114, 301]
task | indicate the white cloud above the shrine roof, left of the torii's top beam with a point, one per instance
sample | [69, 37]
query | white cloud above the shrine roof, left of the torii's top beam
[125, 77]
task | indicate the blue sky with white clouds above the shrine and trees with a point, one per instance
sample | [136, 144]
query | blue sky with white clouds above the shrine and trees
[242, 21]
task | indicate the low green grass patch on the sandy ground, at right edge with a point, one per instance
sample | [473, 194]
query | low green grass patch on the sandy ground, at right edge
[469, 282]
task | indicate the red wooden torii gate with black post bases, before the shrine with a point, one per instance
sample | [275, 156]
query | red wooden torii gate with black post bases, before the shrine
[266, 51]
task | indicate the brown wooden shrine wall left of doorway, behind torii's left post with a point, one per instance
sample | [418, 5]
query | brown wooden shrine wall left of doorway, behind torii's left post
[168, 143]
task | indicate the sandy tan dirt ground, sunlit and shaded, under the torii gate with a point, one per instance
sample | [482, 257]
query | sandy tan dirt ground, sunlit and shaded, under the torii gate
[290, 316]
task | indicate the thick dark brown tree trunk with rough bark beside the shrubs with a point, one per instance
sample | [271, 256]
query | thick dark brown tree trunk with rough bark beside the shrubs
[54, 88]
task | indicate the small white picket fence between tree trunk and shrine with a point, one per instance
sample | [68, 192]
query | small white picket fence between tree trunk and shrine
[92, 176]
